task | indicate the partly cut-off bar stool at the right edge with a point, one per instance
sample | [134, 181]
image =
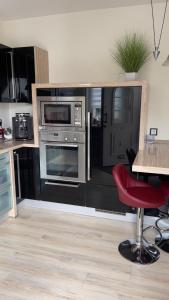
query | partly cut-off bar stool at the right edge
[162, 221]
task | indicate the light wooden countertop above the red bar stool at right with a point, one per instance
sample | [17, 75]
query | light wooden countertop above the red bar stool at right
[153, 159]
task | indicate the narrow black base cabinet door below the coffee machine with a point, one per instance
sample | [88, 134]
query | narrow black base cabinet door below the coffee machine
[26, 162]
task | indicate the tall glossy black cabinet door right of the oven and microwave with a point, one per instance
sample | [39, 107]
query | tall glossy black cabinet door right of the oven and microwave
[115, 114]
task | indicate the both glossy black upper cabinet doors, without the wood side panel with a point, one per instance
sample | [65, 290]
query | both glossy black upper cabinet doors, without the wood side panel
[17, 73]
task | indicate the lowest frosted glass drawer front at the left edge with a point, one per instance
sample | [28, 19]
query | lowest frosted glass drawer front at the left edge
[5, 200]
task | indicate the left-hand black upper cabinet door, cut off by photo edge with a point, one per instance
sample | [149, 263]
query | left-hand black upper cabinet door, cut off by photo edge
[6, 87]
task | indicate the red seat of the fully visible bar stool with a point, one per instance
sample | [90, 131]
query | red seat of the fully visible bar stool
[134, 192]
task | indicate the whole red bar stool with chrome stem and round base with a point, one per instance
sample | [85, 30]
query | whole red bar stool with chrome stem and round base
[139, 194]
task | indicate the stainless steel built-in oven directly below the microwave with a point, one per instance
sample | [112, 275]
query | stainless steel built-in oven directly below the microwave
[63, 156]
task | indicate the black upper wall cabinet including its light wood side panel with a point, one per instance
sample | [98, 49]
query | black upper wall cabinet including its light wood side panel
[20, 67]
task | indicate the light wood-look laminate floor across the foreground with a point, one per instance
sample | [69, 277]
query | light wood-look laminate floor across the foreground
[59, 256]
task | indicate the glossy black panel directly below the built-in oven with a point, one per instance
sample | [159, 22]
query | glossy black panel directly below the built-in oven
[62, 194]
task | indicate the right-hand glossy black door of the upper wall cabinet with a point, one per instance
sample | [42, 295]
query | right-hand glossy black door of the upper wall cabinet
[24, 73]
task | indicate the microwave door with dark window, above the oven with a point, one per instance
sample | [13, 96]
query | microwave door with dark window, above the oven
[57, 114]
